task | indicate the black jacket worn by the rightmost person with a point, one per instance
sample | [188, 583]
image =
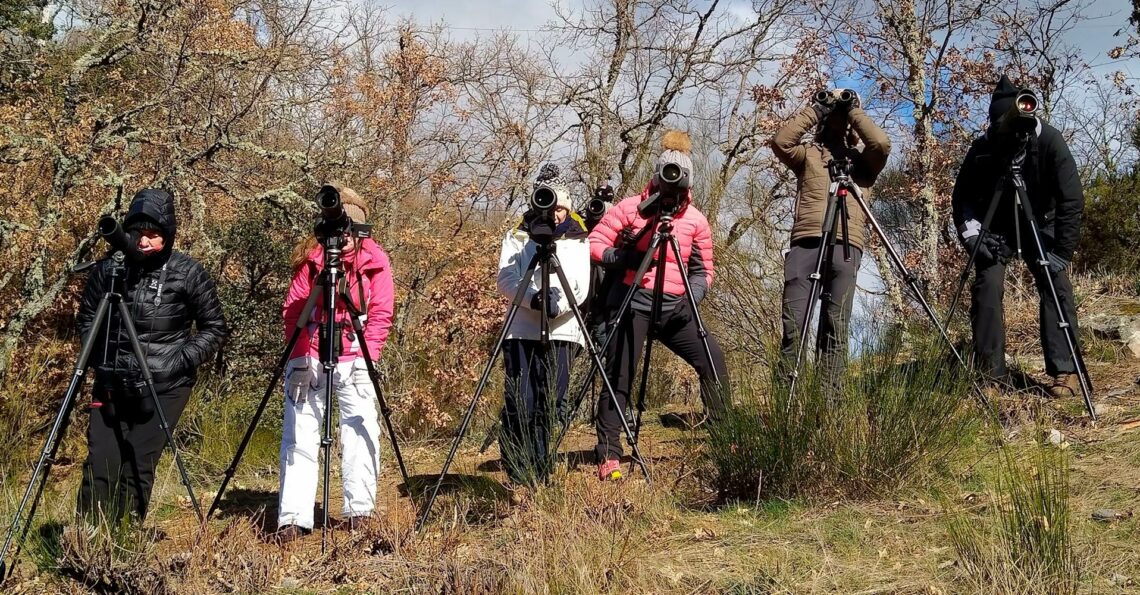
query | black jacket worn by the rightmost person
[1052, 182]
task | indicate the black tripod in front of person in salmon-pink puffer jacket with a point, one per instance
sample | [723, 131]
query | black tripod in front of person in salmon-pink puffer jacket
[661, 243]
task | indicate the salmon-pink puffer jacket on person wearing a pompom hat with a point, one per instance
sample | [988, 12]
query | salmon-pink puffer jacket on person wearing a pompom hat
[689, 227]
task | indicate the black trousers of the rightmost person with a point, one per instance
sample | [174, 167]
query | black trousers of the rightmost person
[988, 317]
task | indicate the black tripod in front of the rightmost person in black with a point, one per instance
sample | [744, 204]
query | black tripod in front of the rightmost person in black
[1023, 207]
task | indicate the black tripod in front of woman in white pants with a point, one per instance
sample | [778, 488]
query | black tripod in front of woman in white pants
[328, 281]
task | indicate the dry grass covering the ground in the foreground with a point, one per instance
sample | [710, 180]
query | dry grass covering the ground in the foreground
[581, 536]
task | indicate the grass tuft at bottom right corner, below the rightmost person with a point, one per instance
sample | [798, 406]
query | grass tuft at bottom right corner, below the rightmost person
[1028, 547]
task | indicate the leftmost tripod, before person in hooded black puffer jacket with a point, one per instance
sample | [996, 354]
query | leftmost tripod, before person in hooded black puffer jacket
[39, 479]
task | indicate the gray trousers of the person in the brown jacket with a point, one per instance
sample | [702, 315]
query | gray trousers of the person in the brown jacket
[838, 296]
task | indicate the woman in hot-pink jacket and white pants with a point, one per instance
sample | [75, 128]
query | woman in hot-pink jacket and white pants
[369, 286]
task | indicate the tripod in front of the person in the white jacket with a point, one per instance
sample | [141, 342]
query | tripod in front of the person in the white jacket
[545, 260]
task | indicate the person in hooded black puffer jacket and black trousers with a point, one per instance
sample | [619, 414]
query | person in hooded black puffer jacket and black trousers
[166, 294]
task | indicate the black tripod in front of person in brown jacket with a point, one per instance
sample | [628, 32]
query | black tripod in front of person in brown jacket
[842, 188]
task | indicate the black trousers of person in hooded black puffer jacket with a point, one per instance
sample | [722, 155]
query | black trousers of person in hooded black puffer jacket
[125, 443]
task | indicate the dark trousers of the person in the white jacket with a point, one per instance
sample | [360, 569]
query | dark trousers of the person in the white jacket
[531, 409]
